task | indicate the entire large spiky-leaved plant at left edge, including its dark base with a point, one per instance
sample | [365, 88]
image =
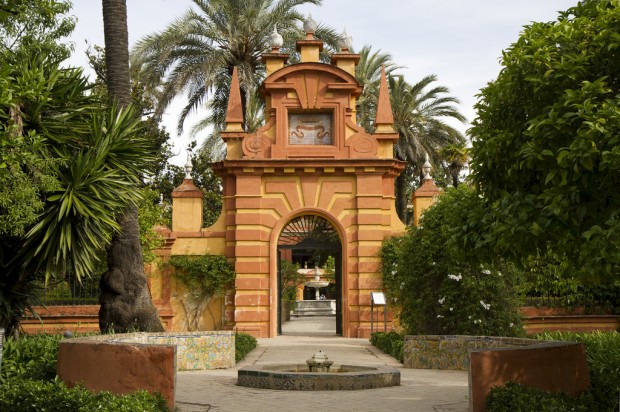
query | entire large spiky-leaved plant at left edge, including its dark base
[92, 162]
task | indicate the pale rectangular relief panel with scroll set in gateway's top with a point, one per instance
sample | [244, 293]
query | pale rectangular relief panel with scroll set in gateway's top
[310, 129]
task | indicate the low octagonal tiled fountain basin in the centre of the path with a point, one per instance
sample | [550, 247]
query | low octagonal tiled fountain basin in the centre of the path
[297, 378]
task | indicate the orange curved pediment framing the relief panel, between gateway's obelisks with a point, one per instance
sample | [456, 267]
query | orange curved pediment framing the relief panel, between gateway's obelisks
[310, 111]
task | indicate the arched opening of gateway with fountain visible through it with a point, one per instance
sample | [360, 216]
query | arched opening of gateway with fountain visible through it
[309, 278]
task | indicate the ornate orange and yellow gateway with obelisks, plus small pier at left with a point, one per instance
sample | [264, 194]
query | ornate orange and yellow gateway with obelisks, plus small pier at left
[309, 179]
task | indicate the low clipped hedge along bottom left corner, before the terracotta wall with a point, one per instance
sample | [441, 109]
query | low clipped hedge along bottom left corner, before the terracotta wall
[26, 395]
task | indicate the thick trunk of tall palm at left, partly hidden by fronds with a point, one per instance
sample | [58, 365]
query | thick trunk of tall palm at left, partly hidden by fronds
[125, 299]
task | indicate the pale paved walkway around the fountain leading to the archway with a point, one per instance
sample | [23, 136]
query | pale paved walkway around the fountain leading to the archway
[420, 390]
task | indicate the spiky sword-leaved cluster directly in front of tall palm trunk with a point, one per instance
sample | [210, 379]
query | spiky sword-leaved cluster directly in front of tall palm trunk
[100, 176]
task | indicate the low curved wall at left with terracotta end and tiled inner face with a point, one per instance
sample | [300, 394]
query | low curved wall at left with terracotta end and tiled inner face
[124, 363]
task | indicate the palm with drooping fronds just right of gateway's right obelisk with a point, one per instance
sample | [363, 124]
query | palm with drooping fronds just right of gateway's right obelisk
[419, 111]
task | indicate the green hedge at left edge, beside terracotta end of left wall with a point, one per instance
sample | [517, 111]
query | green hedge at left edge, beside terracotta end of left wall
[30, 357]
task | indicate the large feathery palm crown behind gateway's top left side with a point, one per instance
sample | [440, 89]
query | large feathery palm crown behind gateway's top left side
[196, 53]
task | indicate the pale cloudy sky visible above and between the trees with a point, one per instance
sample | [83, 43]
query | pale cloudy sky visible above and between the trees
[460, 41]
